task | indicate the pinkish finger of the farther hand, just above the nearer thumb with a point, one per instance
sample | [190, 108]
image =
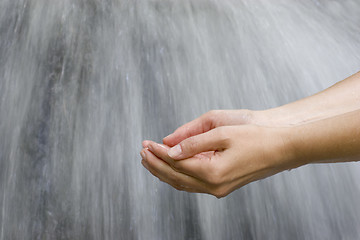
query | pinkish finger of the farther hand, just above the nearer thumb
[195, 127]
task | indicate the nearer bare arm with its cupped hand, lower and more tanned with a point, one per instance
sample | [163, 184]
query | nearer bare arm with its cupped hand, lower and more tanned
[226, 158]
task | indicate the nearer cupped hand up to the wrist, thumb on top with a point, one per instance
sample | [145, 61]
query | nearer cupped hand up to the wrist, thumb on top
[220, 160]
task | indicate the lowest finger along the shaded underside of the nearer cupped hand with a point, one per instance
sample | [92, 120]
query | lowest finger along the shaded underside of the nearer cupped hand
[166, 174]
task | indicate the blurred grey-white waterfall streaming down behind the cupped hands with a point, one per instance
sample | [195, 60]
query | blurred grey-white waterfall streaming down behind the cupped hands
[83, 82]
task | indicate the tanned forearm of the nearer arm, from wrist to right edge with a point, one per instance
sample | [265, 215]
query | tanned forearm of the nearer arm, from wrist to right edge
[335, 139]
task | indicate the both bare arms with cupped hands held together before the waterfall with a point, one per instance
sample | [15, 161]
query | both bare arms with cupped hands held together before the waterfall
[222, 151]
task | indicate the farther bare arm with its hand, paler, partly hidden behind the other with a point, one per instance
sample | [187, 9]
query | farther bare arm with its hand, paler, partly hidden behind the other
[340, 98]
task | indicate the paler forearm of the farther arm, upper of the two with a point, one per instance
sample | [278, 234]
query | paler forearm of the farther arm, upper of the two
[341, 98]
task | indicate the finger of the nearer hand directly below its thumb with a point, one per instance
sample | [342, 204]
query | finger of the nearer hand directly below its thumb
[197, 166]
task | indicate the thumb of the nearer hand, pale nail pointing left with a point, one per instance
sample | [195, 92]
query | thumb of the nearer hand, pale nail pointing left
[212, 140]
